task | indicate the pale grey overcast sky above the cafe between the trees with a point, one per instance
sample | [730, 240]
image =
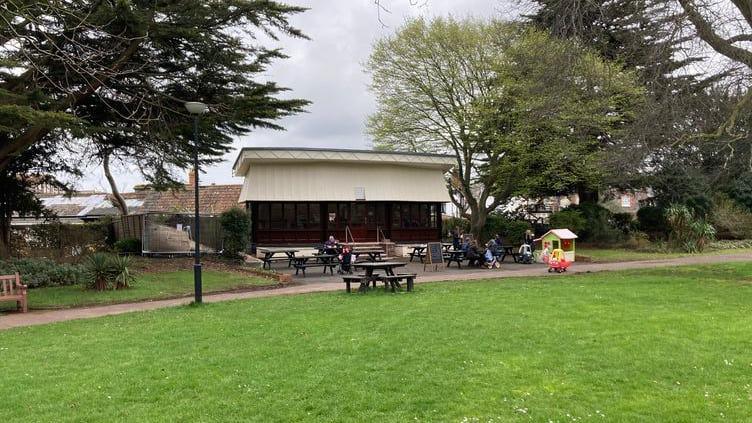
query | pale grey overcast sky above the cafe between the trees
[328, 71]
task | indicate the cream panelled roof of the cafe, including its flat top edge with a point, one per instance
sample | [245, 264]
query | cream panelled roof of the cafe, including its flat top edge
[341, 175]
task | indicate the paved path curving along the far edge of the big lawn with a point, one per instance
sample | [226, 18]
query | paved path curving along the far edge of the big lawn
[50, 316]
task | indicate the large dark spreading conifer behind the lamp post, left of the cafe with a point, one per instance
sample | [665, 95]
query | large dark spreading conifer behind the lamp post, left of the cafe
[108, 78]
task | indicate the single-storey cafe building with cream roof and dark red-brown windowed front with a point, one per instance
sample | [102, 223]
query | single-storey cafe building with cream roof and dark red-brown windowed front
[302, 195]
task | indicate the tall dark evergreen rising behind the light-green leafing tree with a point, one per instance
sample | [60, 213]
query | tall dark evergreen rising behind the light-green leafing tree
[647, 37]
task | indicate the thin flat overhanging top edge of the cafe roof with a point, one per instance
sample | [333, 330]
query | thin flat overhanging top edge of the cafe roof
[248, 156]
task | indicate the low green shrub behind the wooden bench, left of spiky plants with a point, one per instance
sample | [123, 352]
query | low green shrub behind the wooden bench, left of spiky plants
[38, 273]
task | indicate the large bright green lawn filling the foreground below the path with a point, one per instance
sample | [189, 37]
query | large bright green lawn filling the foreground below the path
[649, 345]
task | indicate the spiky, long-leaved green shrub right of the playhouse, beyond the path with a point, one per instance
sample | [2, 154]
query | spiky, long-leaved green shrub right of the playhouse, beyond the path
[687, 231]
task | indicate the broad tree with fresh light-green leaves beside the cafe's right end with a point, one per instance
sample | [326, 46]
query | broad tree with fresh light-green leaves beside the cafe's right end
[509, 104]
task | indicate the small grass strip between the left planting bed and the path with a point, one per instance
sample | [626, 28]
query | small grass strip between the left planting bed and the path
[148, 286]
